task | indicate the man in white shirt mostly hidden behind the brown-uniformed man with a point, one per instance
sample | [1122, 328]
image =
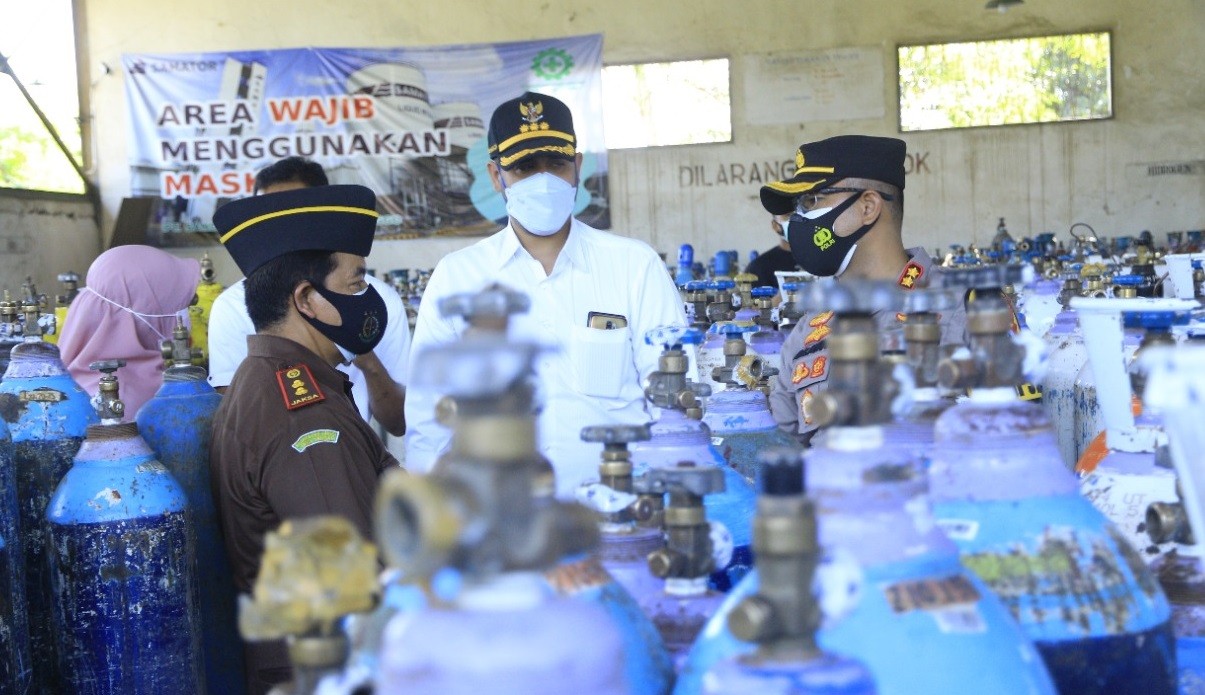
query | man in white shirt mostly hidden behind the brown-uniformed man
[378, 378]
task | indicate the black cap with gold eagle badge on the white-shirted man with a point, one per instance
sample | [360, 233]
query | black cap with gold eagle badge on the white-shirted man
[530, 126]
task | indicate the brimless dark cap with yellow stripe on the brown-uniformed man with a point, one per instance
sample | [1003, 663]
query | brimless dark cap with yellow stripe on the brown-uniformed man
[257, 229]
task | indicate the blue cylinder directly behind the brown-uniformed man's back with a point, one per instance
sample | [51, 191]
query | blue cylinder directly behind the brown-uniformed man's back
[177, 425]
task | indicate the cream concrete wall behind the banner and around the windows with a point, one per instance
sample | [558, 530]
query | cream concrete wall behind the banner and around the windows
[1041, 178]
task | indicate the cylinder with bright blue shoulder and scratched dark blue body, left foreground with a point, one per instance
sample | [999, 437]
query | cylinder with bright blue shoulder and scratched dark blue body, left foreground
[122, 567]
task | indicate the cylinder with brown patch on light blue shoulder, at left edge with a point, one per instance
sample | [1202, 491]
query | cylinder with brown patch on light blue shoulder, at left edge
[48, 416]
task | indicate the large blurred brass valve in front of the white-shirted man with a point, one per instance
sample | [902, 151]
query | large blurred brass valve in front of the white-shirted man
[487, 506]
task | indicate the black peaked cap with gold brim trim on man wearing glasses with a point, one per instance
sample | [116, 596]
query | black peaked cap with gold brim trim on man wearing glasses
[824, 163]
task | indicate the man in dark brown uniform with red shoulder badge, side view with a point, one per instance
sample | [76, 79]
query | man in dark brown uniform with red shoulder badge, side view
[289, 440]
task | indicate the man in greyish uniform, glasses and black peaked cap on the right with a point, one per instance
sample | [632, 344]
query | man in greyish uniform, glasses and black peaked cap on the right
[847, 207]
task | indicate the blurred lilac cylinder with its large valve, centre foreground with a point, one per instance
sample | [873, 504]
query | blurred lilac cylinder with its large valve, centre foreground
[485, 514]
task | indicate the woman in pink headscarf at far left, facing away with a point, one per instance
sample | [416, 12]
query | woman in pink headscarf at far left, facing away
[127, 310]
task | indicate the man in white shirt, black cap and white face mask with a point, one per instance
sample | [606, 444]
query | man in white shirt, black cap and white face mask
[593, 297]
